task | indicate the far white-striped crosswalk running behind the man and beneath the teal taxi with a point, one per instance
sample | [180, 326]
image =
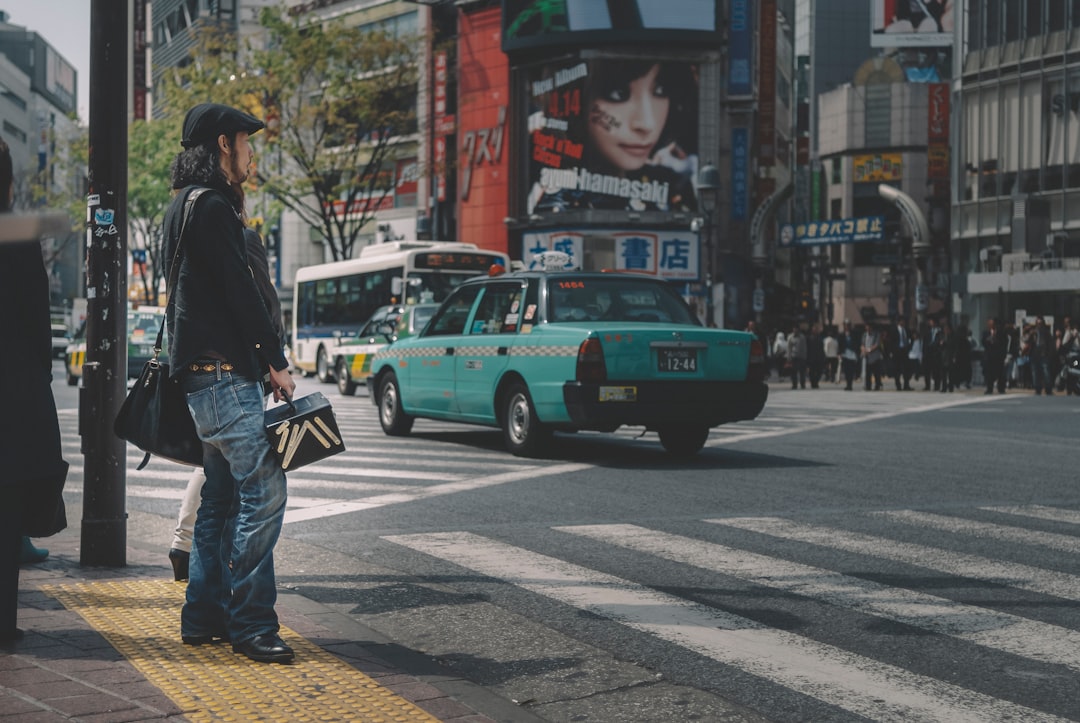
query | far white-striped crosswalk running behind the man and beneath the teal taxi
[447, 459]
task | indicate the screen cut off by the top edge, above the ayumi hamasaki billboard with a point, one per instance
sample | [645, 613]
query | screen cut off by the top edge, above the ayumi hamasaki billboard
[541, 23]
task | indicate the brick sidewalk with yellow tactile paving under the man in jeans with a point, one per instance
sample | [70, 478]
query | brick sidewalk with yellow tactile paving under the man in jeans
[103, 645]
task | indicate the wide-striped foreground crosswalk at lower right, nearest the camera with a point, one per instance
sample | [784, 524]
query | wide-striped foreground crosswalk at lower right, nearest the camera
[858, 647]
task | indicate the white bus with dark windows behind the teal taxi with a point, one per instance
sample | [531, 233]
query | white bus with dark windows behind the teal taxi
[334, 300]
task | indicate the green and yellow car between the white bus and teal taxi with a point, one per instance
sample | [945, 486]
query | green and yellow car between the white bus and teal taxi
[353, 357]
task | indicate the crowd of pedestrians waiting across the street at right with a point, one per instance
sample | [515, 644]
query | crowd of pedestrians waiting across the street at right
[939, 355]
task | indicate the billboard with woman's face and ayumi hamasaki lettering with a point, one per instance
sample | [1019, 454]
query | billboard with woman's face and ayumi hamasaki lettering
[612, 133]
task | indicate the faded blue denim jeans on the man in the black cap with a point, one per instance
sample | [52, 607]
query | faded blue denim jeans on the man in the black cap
[232, 586]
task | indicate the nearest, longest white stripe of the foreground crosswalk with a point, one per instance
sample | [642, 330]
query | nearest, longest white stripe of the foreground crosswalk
[865, 687]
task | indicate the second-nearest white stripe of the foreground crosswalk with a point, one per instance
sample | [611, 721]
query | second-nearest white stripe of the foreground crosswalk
[1002, 632]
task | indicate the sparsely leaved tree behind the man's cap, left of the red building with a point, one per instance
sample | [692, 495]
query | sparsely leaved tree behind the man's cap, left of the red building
[340, 105]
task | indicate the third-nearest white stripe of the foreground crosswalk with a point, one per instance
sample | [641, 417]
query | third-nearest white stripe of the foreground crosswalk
[1027, 578]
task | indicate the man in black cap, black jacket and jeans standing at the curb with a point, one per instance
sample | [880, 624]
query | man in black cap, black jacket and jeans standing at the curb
[222, 342]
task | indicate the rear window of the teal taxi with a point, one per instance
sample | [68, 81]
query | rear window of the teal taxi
[616, 299]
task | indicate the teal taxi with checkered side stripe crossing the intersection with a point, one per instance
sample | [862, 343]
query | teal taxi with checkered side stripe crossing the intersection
[534, 353]
